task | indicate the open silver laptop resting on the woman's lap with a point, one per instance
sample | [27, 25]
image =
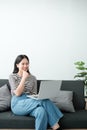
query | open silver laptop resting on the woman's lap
[48, 90]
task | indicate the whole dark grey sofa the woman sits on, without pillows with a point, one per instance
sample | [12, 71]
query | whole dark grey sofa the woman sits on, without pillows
[70, 120]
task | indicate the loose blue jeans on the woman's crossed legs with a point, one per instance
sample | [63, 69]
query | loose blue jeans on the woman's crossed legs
[44, 111]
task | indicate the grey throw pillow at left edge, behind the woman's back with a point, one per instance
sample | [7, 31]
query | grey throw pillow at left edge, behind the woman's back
[5, 98]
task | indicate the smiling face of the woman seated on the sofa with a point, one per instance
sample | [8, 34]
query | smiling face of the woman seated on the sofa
[23, 65]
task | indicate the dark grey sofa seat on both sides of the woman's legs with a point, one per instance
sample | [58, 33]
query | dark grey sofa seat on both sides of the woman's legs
[70, 120]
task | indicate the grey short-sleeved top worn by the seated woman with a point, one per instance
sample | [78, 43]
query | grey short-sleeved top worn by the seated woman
[30, 83]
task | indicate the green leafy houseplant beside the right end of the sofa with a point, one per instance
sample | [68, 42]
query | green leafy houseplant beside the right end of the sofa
[82, 74]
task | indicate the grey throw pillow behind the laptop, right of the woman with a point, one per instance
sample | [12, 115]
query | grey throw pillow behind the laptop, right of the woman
[64, 101]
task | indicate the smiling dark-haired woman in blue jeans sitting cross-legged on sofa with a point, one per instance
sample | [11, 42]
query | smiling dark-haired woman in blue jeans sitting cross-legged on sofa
[22, 82]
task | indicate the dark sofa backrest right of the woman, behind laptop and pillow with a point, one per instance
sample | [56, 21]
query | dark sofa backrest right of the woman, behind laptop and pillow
[77, 86]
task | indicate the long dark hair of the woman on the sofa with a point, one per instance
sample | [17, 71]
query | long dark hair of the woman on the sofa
[17, 61]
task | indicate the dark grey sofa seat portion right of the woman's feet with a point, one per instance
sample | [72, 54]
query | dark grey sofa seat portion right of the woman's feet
[74, 120]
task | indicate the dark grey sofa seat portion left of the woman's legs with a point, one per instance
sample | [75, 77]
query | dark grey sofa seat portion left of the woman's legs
[10, 121]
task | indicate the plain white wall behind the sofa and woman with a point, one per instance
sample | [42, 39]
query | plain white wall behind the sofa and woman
[51, 32]
